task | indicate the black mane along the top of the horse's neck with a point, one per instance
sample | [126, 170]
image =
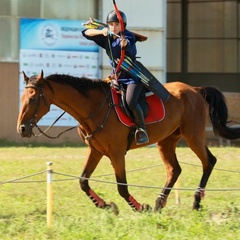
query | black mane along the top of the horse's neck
[82, 84]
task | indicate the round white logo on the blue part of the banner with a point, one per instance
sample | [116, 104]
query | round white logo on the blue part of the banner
[49, 34]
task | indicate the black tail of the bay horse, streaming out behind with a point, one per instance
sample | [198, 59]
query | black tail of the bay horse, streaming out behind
[218, 113]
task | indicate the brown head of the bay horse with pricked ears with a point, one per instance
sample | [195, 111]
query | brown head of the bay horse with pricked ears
[34, 104]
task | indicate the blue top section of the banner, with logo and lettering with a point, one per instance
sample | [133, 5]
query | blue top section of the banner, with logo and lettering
[46, 34]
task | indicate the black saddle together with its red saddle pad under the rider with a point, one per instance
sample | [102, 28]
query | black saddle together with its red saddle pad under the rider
[152, 106]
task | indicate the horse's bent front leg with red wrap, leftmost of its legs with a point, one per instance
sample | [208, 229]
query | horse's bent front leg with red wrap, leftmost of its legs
[91, 163]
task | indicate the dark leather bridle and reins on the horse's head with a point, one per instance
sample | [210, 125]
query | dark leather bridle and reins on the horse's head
[33, 119]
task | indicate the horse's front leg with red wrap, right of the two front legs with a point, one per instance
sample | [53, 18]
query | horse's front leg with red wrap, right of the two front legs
[120, 173]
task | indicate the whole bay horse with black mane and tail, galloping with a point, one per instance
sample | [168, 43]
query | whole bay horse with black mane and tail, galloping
[89, 101]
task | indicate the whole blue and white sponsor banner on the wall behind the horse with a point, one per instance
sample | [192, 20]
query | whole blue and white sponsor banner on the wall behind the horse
[56, 46]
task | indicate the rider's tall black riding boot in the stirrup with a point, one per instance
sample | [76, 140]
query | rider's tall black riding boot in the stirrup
[141, 132]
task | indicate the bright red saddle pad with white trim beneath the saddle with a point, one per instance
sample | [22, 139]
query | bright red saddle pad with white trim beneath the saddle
[155, 104]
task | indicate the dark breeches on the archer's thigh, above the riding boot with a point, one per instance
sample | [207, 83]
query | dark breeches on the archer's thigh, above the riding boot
[133, 92]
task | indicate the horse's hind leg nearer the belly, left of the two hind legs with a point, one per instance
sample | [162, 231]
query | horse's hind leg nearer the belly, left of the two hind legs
[167, 151]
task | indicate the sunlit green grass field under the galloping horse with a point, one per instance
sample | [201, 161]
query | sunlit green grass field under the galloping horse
[23, 203]
